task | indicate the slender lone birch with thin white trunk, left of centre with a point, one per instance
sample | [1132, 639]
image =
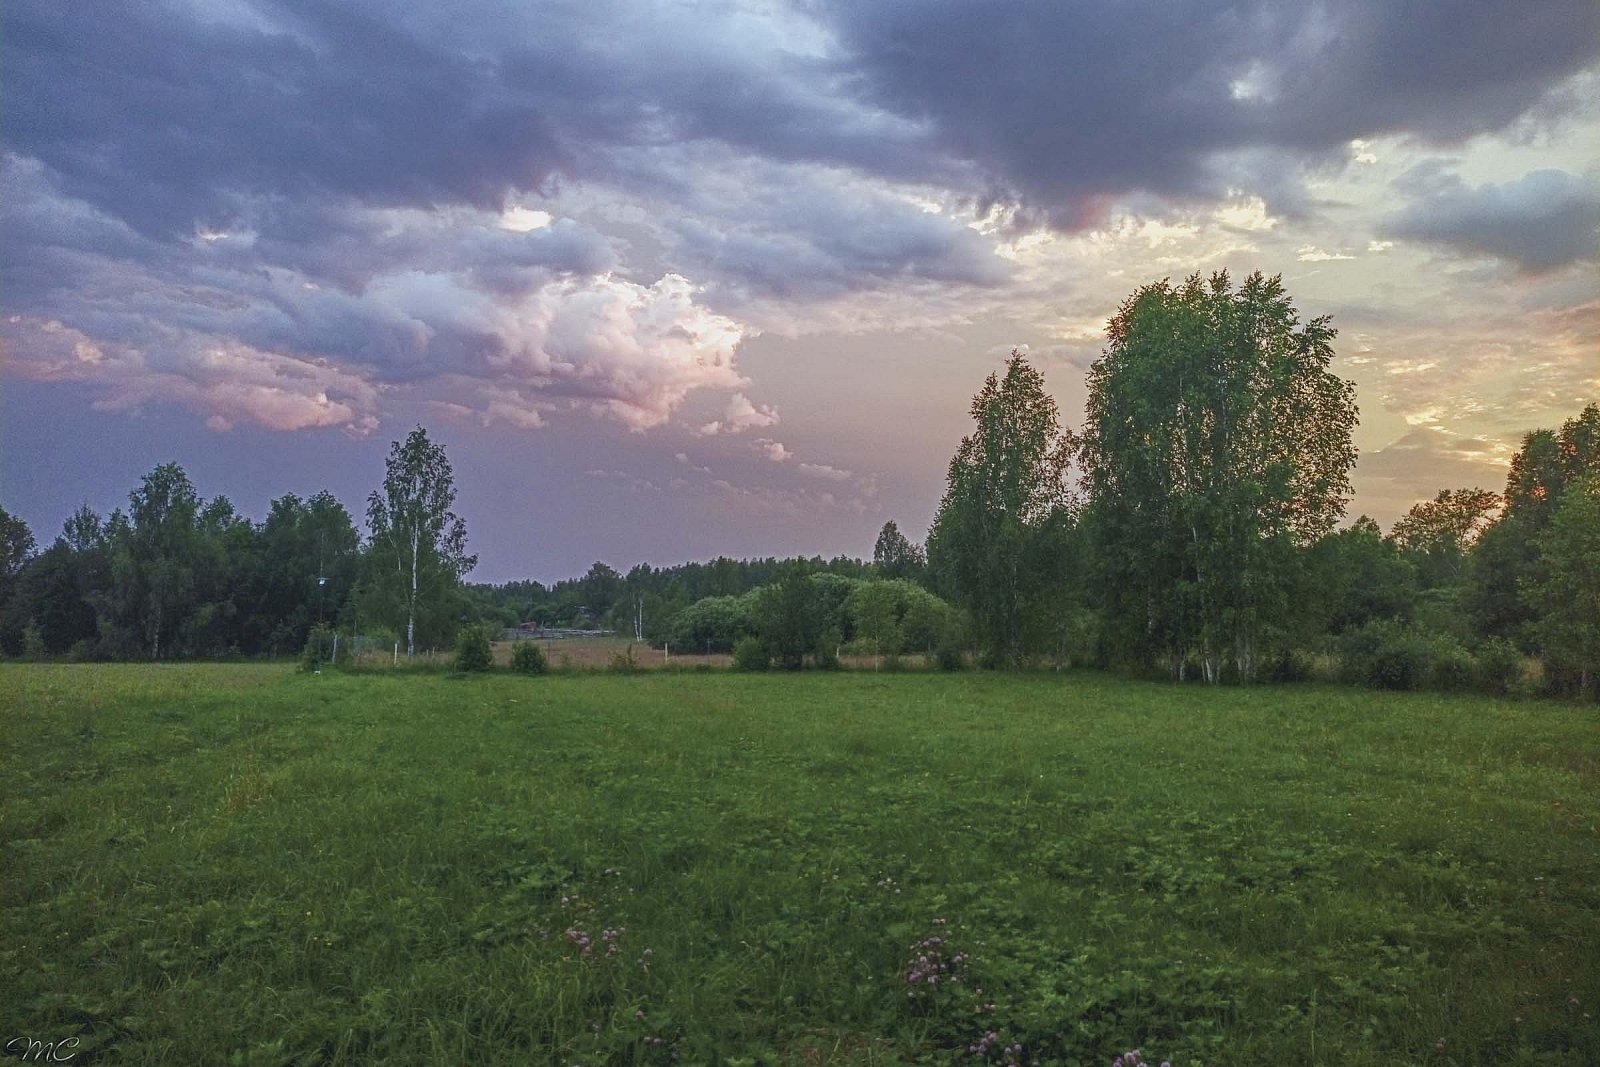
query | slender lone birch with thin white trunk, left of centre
[420, 545]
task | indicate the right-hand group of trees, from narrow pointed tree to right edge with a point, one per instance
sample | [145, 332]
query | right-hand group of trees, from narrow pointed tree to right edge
[1201, 538]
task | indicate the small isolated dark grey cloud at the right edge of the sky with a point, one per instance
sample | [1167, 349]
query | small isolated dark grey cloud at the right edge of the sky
[1542, 222]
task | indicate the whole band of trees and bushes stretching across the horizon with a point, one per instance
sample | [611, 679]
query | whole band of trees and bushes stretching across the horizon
[1194, 529]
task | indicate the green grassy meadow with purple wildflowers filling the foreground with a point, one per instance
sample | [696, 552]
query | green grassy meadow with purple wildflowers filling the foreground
[249, 866]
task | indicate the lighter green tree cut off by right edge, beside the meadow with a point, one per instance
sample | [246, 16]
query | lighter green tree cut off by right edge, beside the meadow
[1569, 591]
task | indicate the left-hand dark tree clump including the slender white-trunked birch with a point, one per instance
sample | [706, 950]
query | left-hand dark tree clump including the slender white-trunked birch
[178, 577]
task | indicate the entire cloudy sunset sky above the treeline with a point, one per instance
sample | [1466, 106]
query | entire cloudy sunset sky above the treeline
[678, 281]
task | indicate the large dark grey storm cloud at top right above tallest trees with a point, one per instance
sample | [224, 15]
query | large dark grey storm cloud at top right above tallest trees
[1068, 105]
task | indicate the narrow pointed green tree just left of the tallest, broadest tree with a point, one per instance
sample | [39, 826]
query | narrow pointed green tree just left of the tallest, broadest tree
[1006, 482]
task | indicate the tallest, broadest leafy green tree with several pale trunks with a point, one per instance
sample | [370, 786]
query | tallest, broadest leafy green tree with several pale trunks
[1217, 442]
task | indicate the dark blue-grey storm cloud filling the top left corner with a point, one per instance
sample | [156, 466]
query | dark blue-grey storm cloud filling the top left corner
[174, 121]
